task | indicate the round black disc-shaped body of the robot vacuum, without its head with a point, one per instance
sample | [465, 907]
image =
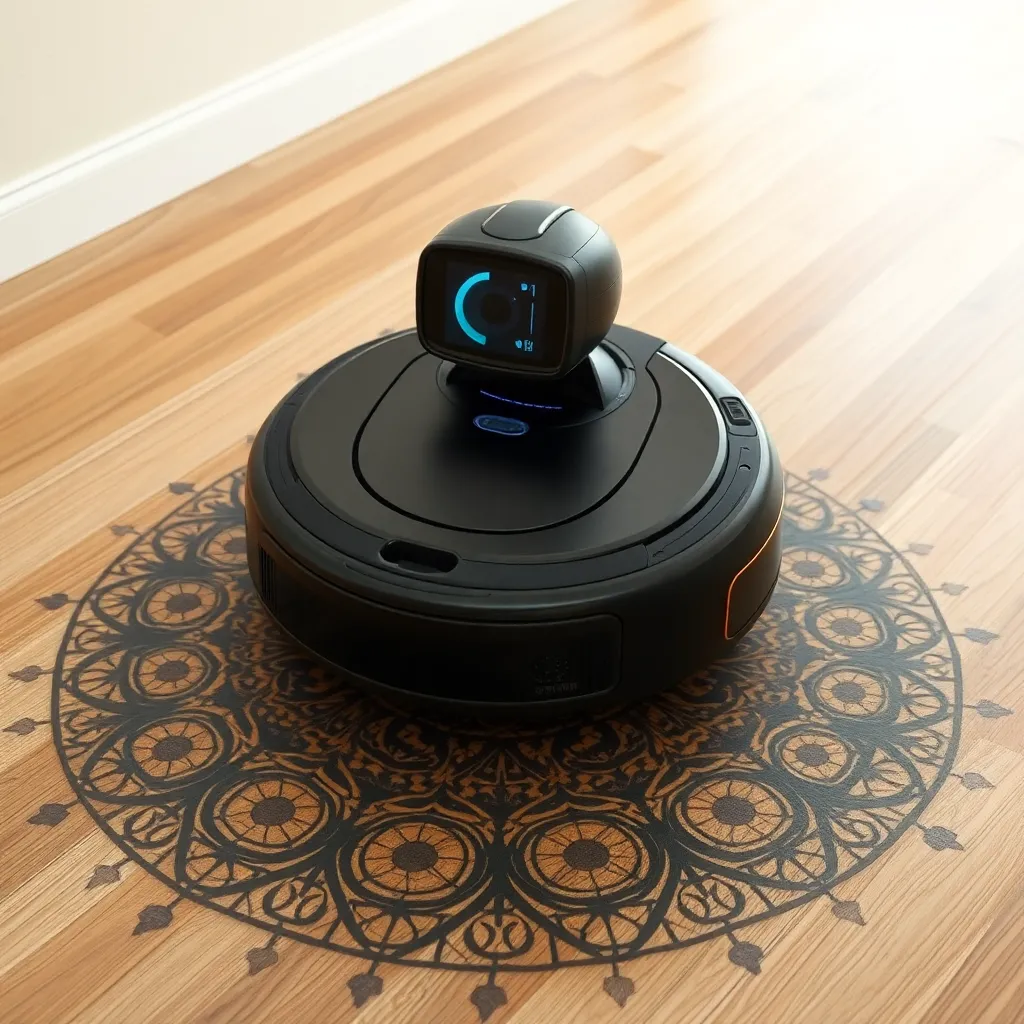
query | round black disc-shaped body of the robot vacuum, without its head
[602, 604]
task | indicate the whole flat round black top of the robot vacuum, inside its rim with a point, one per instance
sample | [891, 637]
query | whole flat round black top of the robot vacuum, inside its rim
[380, 447]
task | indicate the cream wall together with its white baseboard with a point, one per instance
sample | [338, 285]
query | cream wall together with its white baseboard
[112, 108]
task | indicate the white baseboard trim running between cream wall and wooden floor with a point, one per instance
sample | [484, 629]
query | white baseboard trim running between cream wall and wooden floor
[69, 203]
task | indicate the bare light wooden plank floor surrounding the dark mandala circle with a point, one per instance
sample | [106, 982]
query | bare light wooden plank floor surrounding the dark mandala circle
[825, 201]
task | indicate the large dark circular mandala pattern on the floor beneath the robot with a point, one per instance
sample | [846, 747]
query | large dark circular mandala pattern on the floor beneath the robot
[251, 781]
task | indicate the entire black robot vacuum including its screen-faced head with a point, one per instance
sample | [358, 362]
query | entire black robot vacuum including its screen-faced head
[520, 505]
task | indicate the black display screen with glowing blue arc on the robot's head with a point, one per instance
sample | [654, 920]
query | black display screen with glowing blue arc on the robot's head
[495, 310]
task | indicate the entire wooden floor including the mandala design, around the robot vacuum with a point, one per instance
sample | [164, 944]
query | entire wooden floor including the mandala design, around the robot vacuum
[826, 202]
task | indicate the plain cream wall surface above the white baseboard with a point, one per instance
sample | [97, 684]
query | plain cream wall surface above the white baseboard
[75, 72]
